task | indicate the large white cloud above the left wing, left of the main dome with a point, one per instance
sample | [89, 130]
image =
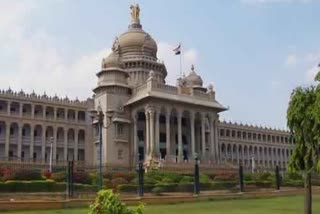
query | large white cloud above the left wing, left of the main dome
[38, 63]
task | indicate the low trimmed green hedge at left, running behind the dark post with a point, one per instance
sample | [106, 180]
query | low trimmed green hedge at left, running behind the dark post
[41, 186]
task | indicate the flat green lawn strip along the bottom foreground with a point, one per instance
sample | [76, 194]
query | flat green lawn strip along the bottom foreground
[280, 205]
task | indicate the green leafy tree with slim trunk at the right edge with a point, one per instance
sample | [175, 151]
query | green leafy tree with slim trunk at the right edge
[303, 120]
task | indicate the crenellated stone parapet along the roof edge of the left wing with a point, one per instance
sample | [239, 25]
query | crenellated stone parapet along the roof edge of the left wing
[33, 96]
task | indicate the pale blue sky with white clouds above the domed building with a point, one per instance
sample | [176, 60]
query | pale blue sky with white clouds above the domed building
[254, 52]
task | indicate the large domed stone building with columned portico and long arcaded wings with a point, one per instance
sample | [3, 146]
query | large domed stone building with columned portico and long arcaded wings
[144, 118]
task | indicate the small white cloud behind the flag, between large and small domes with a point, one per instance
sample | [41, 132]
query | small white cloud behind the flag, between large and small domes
[172, 62]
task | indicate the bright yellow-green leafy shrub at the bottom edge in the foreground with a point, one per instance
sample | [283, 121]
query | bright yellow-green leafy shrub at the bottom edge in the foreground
[108, 203]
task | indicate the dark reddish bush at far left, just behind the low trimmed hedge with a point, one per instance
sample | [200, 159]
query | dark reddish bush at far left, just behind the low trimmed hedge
[22, 174]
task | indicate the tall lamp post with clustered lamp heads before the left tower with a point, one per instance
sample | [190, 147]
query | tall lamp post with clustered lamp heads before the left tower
[97, 117]
